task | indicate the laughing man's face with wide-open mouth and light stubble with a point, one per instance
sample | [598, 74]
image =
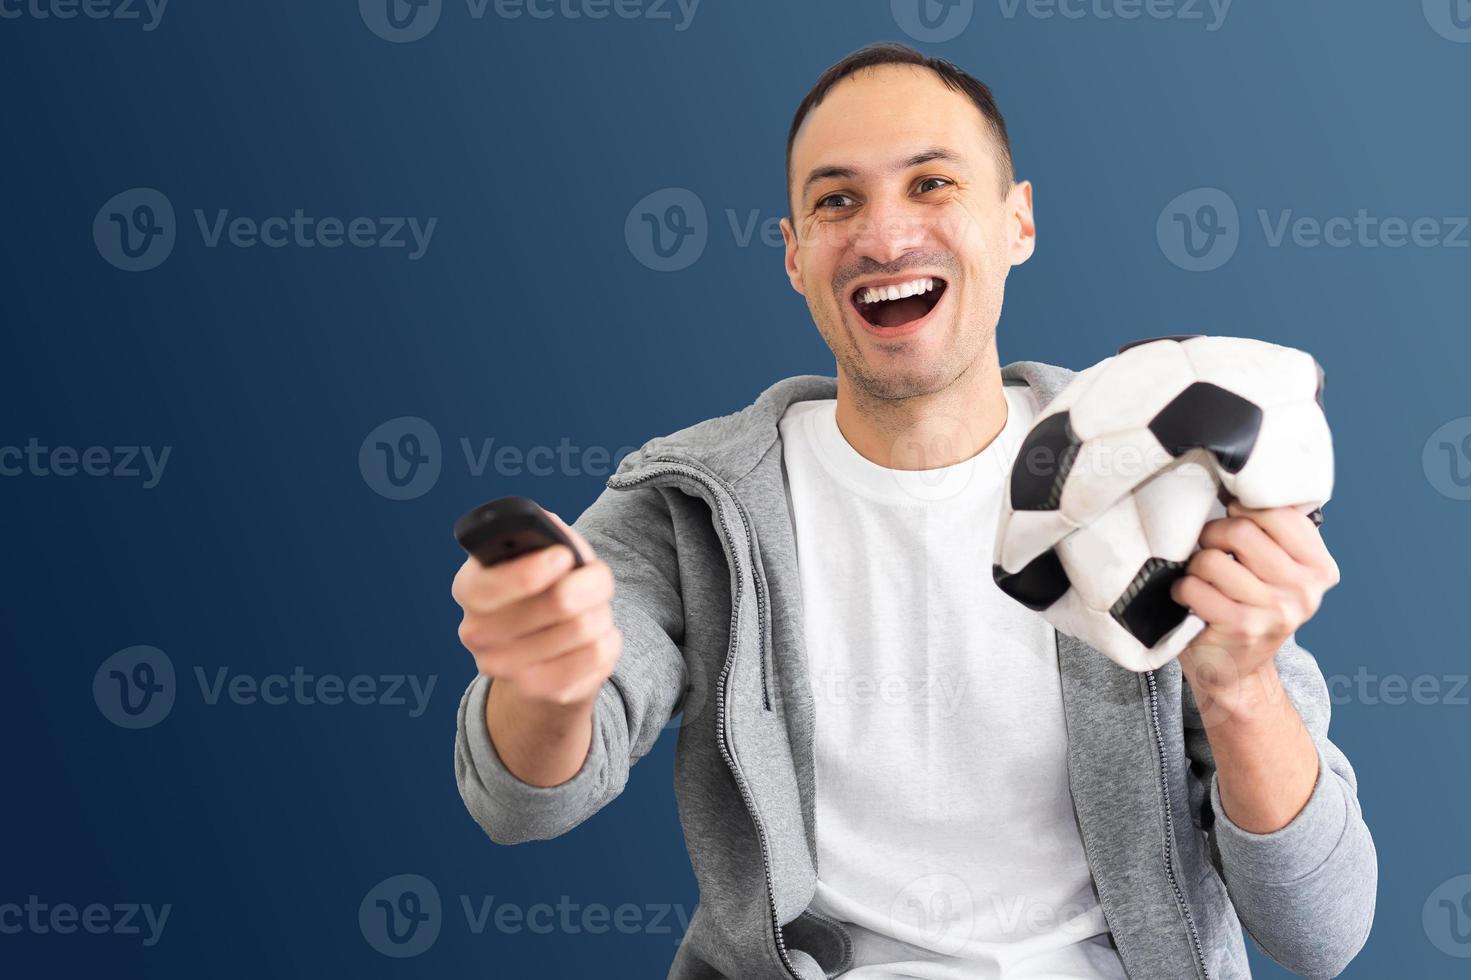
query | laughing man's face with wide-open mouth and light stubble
[895, 185]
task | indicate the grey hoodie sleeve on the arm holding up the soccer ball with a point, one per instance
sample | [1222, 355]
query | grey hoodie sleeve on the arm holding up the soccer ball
[1306, 892]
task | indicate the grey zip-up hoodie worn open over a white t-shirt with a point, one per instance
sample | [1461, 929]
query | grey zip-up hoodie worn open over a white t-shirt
[698, 533]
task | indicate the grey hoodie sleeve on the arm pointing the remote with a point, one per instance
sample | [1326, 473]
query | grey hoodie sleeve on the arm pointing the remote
[633, 532]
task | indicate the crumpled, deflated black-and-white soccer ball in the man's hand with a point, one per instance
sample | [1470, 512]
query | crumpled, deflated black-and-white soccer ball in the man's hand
[1125, 467]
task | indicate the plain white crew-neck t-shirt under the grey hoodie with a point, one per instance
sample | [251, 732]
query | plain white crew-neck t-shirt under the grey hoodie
[945, 826]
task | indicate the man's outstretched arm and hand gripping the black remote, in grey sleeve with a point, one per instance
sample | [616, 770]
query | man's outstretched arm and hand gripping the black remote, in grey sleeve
[577, 670]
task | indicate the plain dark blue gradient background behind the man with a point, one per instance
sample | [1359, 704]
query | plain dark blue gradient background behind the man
[529, 320]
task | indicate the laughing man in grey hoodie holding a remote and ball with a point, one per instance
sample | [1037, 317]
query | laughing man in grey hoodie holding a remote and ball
[888, 769]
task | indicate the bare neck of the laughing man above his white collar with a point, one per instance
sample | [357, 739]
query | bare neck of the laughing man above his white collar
[926, 432]
